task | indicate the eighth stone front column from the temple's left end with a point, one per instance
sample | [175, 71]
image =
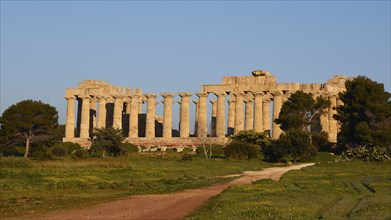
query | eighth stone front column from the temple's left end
[184, 114]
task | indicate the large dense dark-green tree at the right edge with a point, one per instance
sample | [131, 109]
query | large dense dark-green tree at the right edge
[365, 115]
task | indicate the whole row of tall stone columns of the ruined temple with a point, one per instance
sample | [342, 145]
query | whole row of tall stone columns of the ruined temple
[246, 111]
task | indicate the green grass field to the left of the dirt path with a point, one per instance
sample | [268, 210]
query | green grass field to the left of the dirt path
[38, 186]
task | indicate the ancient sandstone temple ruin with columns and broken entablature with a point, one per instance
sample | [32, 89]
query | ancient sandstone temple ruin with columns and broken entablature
[242, 103]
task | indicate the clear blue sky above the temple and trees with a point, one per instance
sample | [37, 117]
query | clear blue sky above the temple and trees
[173, 46]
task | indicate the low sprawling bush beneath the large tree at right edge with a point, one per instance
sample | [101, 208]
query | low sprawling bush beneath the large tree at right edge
[368, 153]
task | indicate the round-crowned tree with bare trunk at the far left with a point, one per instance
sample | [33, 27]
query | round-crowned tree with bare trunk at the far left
[27, 122]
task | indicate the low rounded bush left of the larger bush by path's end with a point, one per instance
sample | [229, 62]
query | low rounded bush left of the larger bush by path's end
[241, 150]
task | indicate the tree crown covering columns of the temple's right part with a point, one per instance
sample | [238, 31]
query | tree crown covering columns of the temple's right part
[299, 111]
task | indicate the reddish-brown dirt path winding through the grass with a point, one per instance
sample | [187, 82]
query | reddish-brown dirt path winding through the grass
[165, 206]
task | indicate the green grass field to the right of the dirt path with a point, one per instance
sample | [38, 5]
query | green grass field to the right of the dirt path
[329, 190]
